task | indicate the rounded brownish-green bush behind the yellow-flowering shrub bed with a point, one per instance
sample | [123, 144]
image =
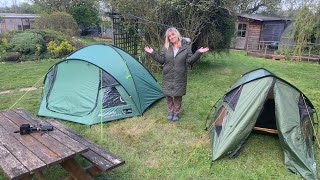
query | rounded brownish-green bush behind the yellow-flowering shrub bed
[58, 21]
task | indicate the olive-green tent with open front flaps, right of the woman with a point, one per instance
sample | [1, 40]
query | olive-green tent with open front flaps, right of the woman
[262, 101]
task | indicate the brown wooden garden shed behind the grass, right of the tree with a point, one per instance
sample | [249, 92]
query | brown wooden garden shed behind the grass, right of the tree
[254, 31]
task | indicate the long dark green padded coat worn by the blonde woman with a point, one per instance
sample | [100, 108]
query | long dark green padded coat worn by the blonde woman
[175, 68]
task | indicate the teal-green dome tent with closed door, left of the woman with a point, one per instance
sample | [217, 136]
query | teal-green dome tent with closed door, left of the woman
[98, 83]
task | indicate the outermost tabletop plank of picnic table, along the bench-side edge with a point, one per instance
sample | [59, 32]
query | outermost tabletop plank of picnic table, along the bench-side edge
[56, 133]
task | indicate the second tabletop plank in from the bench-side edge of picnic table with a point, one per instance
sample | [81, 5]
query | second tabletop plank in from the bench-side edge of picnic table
[61, 150]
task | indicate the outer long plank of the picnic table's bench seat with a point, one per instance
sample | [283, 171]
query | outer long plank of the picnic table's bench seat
[106, 154]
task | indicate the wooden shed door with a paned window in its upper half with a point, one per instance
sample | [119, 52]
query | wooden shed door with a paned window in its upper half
[241, 36]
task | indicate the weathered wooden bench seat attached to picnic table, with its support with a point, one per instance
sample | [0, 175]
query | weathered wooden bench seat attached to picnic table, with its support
[101, 160]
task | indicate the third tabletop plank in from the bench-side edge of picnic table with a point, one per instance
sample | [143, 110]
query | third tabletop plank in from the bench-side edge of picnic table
[44, 153]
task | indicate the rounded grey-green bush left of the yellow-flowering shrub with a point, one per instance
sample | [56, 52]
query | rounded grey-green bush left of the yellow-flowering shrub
[26, 42]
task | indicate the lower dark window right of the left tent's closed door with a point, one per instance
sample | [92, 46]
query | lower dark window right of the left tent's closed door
[112, 98]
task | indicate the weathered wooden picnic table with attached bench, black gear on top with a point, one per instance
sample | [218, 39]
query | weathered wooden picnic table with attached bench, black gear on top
[23, 156]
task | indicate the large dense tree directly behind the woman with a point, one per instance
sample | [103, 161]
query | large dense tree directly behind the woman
[190, 17]
